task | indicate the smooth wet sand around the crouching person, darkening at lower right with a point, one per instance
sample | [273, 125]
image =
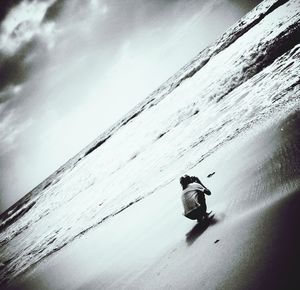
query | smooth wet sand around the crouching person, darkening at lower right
[252, 243]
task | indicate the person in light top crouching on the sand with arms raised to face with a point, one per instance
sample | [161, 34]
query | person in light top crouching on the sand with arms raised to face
[193, 197]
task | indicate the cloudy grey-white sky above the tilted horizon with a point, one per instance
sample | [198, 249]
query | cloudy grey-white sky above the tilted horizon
[70, 69]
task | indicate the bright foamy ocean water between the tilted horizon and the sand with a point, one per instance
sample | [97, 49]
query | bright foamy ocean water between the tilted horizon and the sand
[248, 77]
